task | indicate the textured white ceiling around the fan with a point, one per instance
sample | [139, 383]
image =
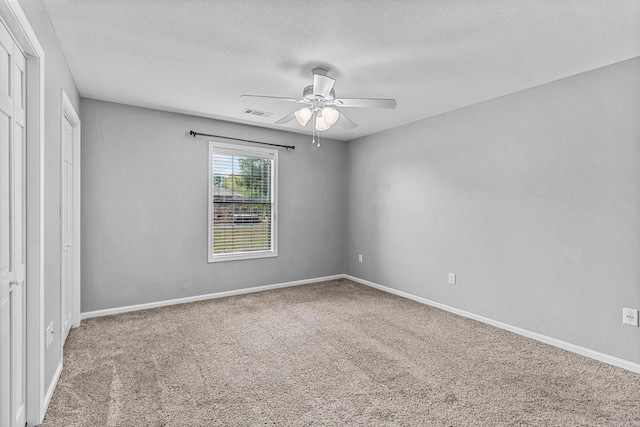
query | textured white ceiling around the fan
[199, 56]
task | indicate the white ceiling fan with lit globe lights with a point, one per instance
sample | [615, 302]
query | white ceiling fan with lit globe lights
[320, 105]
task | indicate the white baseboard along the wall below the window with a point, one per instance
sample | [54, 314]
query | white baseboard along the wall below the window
[125, 309]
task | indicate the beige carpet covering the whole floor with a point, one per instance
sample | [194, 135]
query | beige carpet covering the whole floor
[333, 353]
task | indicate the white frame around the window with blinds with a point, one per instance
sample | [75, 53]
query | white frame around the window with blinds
[224, 147]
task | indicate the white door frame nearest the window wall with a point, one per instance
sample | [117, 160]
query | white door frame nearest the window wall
[68, 112]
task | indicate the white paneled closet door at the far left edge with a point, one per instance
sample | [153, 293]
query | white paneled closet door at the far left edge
[12, 232]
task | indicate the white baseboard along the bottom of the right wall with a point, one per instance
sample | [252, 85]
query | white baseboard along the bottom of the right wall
[611, 360]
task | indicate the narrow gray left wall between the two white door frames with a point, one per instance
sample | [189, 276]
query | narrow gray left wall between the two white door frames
[57, 77]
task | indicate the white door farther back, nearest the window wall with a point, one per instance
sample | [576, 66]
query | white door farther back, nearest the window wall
[66, 291]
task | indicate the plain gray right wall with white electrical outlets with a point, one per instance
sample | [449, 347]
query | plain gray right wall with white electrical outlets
[531, 199]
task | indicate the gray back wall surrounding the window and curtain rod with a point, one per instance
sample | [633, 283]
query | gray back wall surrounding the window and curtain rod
[144, 208]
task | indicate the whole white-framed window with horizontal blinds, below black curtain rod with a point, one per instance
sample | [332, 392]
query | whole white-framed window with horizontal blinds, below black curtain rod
[242, 202]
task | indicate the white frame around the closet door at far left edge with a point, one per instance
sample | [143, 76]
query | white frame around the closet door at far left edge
[16, 21]
